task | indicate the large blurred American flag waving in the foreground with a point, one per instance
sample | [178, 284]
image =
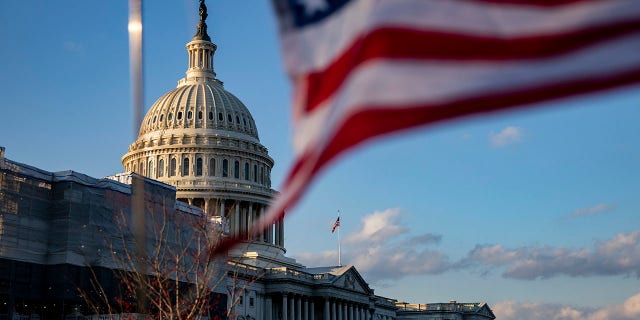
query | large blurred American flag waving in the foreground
[364, 68]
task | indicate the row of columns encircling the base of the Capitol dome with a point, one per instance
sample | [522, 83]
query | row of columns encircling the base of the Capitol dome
[242, 215]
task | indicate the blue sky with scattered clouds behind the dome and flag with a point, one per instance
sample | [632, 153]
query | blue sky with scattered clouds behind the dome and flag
[537, 207]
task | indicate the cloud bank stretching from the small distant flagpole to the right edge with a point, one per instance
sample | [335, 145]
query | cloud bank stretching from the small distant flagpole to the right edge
[384, 249]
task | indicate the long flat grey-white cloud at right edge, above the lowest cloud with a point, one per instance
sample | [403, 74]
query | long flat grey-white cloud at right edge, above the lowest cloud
[617, 256]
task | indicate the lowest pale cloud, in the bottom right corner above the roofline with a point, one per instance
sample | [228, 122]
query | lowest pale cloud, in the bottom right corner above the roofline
[510, 310]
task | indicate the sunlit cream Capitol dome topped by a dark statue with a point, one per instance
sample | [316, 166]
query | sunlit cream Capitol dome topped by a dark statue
[202, 139]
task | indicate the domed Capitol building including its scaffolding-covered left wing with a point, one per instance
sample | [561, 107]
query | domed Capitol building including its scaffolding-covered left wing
[198, 150]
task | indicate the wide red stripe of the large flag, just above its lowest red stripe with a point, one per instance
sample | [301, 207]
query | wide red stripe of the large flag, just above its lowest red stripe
[402, 43]
